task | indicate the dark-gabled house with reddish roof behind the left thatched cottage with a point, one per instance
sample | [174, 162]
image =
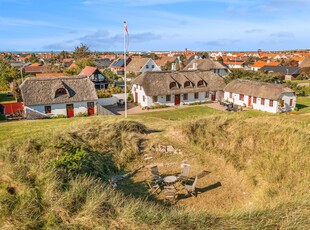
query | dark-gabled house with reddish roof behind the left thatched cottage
[95, 75]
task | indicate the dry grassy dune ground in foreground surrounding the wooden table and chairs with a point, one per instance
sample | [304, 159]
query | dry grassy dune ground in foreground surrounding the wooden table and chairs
[53, 172]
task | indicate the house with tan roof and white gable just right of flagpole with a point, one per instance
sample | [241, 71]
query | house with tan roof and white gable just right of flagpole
[141, 65]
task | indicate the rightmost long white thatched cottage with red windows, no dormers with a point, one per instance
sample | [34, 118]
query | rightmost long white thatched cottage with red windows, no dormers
[262, 96]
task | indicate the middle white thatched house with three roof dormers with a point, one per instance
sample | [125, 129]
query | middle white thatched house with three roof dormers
[177, 88]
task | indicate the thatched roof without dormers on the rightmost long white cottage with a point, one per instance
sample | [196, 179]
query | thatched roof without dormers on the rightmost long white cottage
[257, 89]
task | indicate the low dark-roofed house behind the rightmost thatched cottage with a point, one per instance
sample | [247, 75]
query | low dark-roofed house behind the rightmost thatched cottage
[286, 72]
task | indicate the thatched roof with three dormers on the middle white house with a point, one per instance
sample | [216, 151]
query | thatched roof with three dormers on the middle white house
[158, 82]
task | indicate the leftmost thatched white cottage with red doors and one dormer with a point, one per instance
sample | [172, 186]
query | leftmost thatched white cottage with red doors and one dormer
[50, 96]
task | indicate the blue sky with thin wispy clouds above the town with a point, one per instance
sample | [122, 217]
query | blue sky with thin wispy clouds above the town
[235, 25]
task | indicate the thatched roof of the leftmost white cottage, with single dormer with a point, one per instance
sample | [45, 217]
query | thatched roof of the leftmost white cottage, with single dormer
[42, 91]
